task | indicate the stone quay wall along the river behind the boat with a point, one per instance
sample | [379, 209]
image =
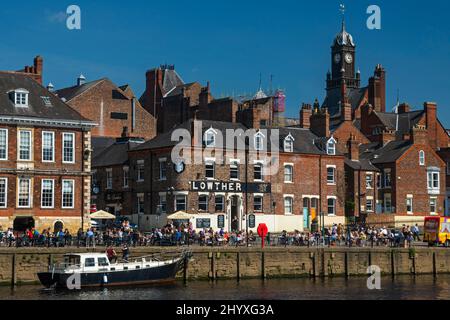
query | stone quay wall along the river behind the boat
[20, 266]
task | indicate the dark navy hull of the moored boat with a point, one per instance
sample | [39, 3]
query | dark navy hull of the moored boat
[155, 275]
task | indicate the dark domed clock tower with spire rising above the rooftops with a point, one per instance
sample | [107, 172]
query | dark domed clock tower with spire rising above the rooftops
[343, 61]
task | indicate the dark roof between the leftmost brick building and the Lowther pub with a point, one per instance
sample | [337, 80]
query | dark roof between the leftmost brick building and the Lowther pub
[116, 154]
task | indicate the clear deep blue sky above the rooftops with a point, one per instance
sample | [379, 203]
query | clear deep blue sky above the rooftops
[230, 42]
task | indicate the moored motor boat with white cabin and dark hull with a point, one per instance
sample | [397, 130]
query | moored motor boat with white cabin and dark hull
[81, 270]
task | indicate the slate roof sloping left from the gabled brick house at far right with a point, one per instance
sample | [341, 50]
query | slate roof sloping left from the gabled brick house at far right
[387, 153]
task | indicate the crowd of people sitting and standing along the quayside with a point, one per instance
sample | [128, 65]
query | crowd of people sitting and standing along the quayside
[185, 235]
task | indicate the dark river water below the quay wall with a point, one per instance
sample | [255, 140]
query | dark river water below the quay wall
[402, 288]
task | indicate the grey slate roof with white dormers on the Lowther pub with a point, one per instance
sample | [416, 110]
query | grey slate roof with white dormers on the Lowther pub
[304, 140]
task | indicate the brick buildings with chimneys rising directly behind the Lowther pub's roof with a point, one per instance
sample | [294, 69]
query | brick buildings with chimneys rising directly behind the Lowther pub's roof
[174, 102]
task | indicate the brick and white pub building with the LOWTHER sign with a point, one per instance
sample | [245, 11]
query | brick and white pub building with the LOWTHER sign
[213, 193]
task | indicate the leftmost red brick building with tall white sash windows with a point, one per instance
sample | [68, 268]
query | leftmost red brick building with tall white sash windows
[45, 150]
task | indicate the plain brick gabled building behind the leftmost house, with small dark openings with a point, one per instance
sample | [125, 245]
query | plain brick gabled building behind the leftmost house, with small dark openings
[112, 107]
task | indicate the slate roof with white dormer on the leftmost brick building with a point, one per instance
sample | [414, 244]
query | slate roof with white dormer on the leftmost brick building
[37, 108]
